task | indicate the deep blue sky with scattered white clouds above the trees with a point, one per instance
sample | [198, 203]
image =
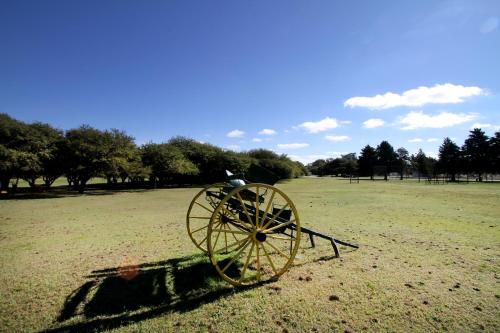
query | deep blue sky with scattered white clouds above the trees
[311, 79]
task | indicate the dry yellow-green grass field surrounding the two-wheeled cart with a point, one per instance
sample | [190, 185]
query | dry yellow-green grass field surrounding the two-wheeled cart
[428, 261]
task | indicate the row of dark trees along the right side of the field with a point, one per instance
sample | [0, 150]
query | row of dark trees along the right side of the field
[479, 155]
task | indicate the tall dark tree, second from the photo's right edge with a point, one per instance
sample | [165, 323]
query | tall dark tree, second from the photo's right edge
[475, 152]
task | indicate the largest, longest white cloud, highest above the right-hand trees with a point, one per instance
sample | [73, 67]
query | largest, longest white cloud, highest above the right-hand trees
[439, 94]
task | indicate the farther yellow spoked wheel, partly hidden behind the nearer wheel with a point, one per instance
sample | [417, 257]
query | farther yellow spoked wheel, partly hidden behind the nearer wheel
[200, 212]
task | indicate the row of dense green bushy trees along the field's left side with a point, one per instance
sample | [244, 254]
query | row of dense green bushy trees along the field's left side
[38, 151]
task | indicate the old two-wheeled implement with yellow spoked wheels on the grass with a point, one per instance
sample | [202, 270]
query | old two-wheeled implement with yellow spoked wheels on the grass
[249, 228]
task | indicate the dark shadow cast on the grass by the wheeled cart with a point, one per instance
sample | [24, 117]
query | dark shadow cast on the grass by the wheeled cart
[124, 295]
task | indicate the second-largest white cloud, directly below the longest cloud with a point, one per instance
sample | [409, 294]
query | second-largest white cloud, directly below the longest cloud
[418, 119]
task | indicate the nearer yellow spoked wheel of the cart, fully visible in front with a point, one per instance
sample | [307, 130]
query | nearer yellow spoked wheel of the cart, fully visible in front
[253, 234]
